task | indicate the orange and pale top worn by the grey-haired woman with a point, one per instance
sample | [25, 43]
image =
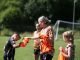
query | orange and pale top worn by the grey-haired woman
[46, 43]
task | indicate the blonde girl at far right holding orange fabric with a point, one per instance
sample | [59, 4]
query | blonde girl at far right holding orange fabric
[68, 52]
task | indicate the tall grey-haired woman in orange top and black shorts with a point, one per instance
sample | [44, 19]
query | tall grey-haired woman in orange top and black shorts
[47, 39]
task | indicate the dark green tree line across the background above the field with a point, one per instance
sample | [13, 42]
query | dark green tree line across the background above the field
[21, 15]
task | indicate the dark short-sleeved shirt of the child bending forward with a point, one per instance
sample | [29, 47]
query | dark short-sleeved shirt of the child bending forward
[8, 48]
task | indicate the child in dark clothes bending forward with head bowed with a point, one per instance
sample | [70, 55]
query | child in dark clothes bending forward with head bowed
[9, 49]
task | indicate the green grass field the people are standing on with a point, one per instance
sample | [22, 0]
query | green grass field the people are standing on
[27, 52]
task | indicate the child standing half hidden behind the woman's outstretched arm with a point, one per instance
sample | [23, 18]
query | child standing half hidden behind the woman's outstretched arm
[37, 42]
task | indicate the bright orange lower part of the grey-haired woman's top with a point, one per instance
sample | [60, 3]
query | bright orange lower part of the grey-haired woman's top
[46, 46]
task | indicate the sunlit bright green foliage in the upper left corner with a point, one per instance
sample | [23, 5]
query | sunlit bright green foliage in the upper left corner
[7, 6]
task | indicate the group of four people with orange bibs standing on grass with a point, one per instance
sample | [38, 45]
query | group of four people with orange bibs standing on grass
[43, 43]
